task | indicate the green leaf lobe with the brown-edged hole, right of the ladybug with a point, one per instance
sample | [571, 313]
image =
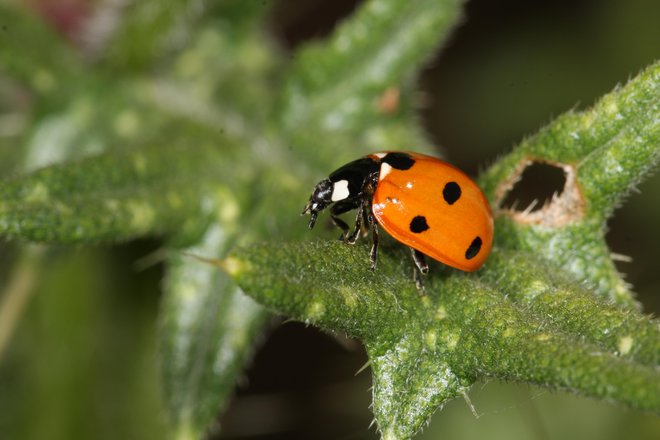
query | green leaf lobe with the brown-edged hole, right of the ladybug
[605, 152]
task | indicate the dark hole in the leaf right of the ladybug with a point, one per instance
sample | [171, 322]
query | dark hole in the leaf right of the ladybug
[537, 185]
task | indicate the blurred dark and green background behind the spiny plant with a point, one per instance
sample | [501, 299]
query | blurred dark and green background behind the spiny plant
[82, 361]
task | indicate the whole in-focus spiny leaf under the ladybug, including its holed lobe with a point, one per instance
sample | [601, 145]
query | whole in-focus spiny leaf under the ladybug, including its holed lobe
[521, 318]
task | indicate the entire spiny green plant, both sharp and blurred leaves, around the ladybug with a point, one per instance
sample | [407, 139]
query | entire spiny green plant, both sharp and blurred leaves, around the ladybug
[196, 157]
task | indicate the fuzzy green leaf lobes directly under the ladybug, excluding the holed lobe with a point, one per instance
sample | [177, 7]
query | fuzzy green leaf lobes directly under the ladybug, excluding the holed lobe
[425, 350]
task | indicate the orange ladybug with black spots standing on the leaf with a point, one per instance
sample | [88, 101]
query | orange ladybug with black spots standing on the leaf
[425, 203]
